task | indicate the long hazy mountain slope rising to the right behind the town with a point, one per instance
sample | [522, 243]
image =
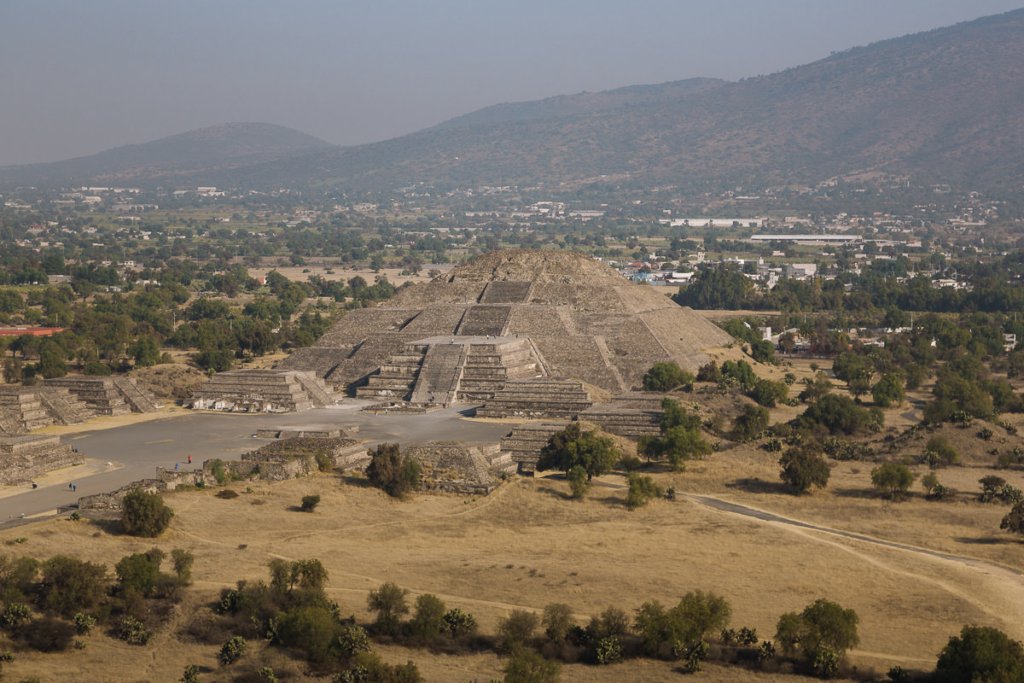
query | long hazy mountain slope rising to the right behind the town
[947, 106]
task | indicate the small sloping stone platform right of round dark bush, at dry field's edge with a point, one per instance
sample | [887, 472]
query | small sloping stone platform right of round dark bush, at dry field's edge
[460, 468]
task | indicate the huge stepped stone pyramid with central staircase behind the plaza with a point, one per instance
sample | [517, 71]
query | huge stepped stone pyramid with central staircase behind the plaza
[509, 316]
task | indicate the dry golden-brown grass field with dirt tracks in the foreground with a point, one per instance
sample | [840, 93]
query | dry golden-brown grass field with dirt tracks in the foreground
[527, 545]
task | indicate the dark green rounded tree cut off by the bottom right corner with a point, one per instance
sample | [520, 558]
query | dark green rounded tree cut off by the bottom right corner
[980, 655]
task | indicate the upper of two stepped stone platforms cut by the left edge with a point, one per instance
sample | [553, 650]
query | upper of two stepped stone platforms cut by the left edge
[24, 409]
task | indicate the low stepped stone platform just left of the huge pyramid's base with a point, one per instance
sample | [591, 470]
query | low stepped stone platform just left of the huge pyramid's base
[263, 392]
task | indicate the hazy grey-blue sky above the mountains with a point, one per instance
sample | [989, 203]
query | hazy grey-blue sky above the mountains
[77, 76]
